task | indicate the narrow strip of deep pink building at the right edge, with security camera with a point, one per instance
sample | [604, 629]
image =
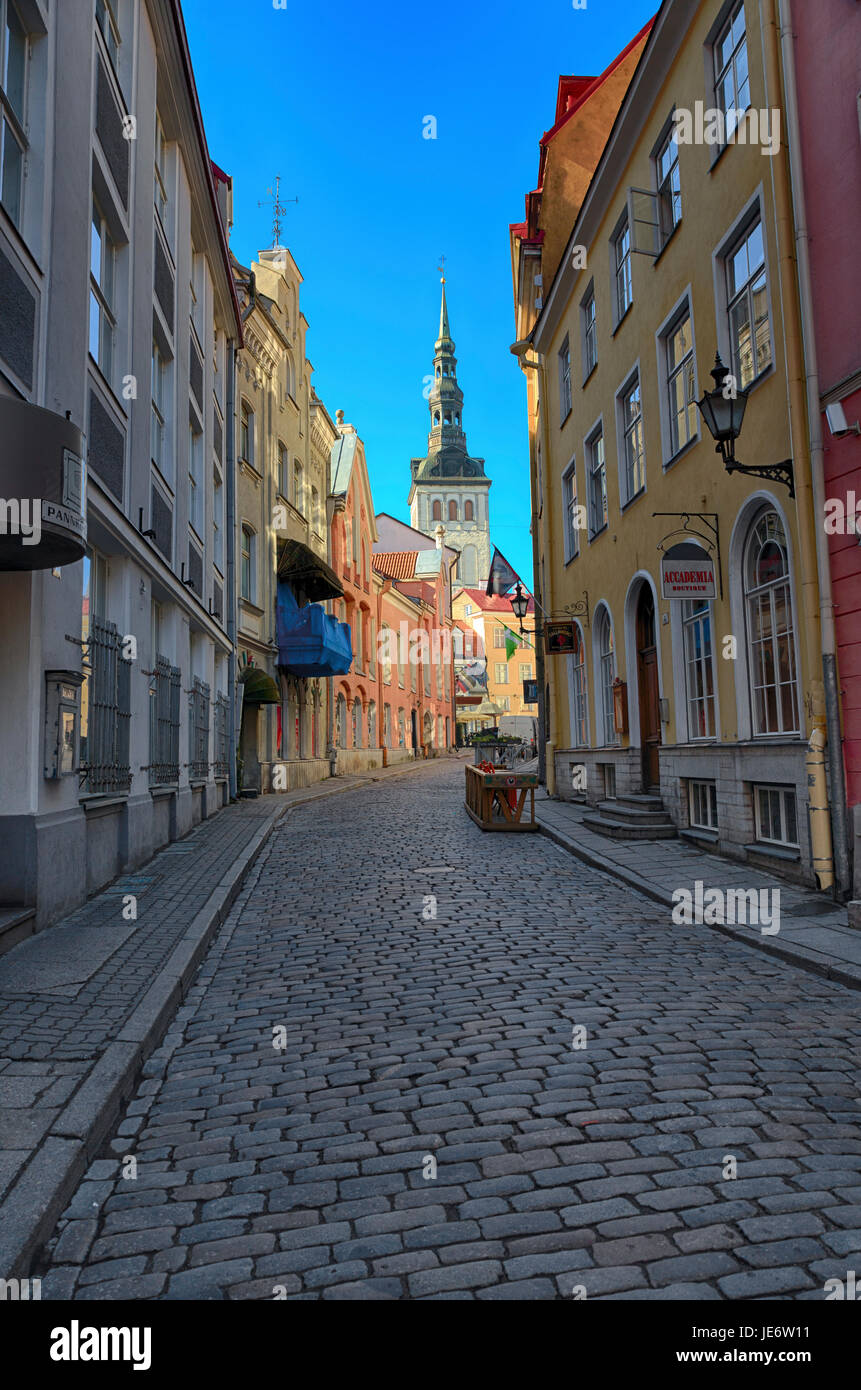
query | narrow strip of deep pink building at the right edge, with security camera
[827, 56]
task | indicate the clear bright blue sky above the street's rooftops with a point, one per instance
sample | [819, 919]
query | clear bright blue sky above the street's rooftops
[333, 98]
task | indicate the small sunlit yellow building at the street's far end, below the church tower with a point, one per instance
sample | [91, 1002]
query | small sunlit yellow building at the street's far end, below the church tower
[510, 658]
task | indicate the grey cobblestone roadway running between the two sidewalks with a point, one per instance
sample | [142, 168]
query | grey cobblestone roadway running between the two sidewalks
[307, 1174]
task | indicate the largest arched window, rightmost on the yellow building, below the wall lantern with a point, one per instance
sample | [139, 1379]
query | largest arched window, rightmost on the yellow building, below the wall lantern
[771, 640]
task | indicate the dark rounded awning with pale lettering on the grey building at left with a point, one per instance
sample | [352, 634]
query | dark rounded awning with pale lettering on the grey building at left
[42, 489]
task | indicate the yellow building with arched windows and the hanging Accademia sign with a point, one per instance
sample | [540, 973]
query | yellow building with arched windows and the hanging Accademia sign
[681, 248]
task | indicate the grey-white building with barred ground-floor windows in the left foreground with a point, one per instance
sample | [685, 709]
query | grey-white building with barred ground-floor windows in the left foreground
[118, 308]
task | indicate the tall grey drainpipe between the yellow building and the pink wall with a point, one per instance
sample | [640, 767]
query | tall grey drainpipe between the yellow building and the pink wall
[834, 750]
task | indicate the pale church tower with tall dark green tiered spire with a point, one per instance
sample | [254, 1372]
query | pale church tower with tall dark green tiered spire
[449, 489]
